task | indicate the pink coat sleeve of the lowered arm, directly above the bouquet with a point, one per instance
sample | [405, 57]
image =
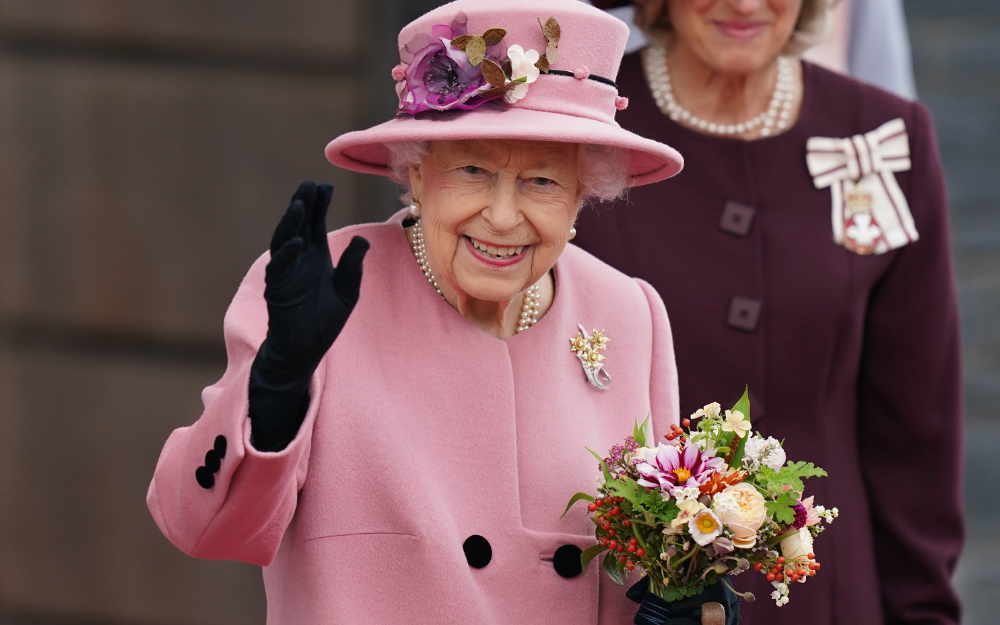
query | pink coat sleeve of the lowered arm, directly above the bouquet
[663, 396]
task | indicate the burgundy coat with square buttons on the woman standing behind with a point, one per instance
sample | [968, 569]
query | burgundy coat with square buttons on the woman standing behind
[853, 359]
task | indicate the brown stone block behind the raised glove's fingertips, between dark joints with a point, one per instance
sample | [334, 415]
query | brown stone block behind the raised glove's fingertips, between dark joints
[133, 198]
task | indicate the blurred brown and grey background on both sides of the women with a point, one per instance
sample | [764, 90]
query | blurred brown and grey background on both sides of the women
[148, 147]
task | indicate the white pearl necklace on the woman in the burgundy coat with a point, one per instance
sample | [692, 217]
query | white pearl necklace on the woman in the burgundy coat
[769, 121]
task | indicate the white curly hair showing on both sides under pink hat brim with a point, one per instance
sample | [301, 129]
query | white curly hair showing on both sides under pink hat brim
[602, 170]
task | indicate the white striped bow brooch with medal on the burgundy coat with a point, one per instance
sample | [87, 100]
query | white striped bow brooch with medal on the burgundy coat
[870, 212]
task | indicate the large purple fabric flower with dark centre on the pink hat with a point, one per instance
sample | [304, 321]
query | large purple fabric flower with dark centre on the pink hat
[437, 76]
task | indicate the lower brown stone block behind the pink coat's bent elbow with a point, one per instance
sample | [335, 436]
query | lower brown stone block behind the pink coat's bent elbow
[79, 439]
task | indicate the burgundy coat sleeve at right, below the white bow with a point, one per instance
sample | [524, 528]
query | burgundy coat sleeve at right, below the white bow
[910, 407]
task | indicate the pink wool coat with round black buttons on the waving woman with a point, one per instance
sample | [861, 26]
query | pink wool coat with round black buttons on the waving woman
[422, 431]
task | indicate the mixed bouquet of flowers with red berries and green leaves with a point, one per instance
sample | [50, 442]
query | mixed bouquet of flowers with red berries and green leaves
[715, 499]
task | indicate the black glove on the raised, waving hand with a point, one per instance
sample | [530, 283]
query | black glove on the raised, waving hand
[308, 303]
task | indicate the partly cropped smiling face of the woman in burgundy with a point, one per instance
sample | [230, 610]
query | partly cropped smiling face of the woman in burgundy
[734, 36]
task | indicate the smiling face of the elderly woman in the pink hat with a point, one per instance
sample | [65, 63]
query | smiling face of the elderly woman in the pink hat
[496, 215]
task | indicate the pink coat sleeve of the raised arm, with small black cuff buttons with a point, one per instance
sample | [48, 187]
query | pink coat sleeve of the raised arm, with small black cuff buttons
[251, 498]
